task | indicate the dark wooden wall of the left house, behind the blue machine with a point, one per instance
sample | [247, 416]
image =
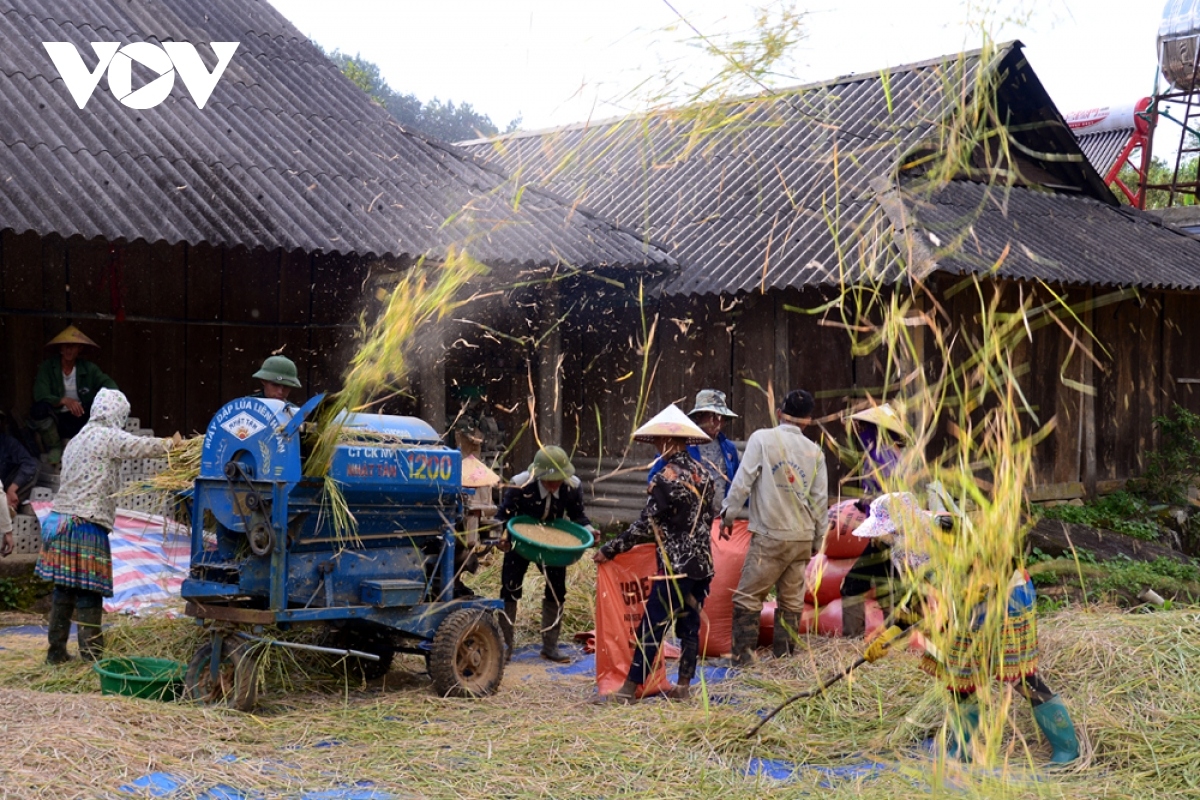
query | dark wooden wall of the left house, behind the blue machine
[200, 321]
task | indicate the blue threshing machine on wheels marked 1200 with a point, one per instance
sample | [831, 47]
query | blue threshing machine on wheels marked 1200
[266, 552]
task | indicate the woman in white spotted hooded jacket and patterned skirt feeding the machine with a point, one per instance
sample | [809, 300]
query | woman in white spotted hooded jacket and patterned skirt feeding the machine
[76, 557]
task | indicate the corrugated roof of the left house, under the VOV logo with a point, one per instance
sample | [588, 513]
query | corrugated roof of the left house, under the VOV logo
[287, 154]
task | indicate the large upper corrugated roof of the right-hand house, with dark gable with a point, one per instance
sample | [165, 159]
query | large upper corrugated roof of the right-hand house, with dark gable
[771, 191]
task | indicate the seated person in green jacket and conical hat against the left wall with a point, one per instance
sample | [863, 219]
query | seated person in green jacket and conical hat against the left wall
[64, 390]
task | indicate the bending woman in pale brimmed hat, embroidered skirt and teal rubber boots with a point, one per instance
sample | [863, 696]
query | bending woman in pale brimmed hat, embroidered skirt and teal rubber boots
[962, 669]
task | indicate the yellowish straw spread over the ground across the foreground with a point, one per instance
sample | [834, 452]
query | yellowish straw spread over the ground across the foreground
[1129, 681]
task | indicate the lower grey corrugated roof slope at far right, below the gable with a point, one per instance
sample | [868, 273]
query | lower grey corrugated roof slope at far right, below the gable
[1054, 238]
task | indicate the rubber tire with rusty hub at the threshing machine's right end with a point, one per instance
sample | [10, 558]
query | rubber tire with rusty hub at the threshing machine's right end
[467, 658]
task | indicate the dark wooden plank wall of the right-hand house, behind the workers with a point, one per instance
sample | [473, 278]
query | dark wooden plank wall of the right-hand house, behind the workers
[1148, 348]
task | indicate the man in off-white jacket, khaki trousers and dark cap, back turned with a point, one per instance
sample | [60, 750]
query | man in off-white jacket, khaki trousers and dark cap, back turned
[784, 476]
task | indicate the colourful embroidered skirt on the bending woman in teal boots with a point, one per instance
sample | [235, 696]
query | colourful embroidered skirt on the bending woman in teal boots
[964, 667]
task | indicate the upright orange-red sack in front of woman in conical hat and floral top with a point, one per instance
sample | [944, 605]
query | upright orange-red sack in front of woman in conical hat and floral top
[623, 586]
